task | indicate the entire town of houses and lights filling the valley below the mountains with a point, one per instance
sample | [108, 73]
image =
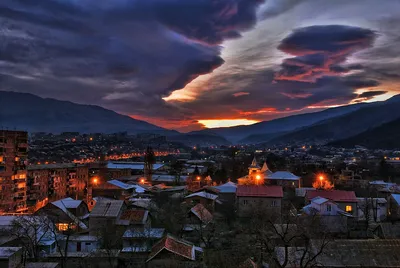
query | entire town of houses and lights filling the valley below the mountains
[74, 200]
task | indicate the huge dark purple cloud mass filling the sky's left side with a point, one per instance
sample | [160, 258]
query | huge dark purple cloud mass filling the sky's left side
[111, 51]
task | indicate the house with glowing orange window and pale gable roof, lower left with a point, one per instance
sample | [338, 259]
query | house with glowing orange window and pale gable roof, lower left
[67, 213]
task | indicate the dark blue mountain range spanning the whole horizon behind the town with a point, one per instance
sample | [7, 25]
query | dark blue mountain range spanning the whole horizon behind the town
[348, 125]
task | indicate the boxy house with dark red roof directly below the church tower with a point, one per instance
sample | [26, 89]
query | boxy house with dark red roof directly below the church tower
[258, 197]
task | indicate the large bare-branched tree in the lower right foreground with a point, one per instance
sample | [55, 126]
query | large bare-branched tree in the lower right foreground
[288, 240]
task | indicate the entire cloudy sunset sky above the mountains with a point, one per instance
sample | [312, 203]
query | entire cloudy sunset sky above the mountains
[187, 65]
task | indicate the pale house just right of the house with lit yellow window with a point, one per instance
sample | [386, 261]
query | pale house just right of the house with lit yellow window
[375, 209]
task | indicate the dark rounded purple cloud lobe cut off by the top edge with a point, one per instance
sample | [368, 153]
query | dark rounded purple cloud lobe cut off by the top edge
[210, 21]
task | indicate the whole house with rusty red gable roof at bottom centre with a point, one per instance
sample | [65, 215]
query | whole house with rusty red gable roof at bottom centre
[173, 252]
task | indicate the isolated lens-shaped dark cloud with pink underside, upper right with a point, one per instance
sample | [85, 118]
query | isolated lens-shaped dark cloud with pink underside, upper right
[320, 50]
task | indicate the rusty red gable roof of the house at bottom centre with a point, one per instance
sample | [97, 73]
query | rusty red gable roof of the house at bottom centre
[173, 245]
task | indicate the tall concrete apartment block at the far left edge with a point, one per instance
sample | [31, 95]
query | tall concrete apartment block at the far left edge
[13, 173]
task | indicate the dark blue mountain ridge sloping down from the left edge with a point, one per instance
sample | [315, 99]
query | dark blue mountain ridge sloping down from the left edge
[29, 112]
